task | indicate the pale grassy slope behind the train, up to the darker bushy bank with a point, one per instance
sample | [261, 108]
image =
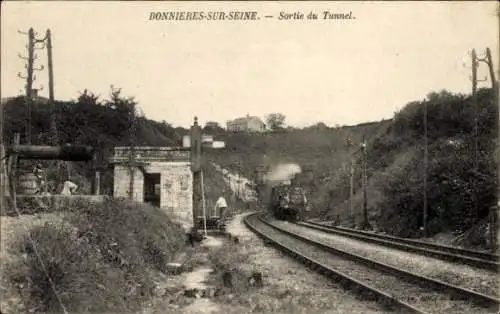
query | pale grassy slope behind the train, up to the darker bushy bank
[324, 149]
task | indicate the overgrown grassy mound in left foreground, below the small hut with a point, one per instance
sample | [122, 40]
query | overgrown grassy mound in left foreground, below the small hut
[101, 258]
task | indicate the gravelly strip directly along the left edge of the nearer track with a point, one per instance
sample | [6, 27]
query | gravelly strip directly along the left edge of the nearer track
[288, 286]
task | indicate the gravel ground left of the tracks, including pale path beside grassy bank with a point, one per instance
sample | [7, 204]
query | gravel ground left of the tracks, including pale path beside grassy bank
[287, 286]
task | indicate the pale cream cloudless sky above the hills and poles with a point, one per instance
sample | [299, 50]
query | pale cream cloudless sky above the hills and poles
[332, 71]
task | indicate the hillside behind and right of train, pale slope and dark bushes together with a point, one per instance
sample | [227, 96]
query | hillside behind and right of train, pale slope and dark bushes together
[394, 163]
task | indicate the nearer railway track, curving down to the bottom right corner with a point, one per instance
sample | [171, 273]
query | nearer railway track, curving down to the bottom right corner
[394, 288]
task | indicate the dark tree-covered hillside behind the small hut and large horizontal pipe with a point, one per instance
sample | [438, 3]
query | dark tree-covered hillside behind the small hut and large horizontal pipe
[89, 120]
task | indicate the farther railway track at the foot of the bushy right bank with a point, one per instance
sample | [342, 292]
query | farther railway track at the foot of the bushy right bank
[477, 259]
